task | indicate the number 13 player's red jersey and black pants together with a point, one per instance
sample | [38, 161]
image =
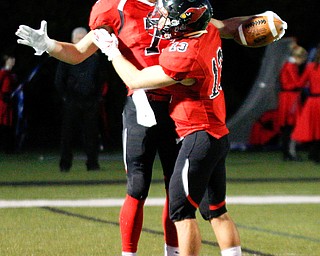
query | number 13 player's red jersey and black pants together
[199, 114]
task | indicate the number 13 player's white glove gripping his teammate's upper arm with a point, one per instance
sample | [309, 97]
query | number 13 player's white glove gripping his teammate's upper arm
[107, 43]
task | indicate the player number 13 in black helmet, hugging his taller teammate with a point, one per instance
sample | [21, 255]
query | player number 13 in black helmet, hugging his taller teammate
[190, 68]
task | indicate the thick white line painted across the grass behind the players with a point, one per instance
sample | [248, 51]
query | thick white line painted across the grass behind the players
[115, 202]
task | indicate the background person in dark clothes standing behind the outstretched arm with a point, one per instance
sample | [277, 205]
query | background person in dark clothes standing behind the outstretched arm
[81, 90]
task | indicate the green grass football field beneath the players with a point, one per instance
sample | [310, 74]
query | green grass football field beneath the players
[265, 229]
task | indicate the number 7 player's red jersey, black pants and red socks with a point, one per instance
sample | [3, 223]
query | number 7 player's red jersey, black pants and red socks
[141, 144]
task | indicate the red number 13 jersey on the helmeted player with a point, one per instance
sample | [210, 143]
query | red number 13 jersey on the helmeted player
[202, 105]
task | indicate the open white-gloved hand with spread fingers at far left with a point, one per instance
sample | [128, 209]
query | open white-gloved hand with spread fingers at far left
[37, 39]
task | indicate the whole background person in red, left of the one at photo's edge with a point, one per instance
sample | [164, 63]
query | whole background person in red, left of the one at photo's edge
[289, 100]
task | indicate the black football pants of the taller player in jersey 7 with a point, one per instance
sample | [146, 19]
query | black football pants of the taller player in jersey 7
[141, 144]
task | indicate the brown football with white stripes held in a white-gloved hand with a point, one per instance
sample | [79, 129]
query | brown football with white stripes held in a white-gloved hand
[260, 30]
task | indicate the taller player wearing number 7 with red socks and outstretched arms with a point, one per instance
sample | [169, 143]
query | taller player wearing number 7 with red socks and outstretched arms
[126, 17]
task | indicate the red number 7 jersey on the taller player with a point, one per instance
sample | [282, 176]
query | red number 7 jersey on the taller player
[128, 20]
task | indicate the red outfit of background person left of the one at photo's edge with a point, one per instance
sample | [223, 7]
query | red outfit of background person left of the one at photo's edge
[289, 104]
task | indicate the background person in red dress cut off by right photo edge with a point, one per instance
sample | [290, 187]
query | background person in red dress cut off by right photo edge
[307, 127]
